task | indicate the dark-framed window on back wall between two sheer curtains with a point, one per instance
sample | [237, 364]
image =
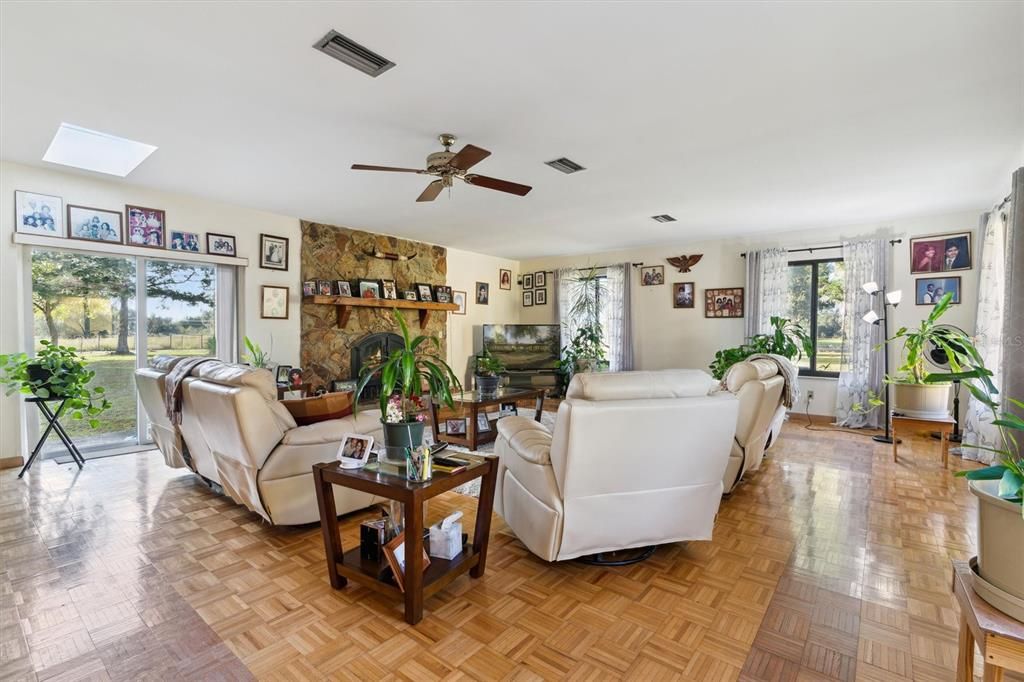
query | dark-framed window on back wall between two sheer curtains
[817, 293]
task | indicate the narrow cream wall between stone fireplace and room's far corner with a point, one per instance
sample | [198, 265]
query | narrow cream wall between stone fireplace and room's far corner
[465, 332]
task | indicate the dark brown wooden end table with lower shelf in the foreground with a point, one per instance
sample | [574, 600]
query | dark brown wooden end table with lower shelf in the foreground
[343, 566]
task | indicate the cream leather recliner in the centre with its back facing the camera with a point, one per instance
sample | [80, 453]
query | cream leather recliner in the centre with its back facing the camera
[636, 459]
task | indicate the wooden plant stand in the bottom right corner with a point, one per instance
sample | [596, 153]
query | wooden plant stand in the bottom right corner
[1000, 637]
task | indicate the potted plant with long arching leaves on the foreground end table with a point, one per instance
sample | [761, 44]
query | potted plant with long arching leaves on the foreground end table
[403, 377]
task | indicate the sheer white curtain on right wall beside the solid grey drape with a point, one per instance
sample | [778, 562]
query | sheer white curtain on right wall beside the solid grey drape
[978, 429]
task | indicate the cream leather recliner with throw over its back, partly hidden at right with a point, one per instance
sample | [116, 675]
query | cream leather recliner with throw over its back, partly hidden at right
[759, 387]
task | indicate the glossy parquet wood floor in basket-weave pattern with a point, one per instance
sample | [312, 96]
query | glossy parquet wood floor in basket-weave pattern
[831, 564]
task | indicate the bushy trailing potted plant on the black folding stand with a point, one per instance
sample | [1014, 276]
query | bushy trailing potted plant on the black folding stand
[60, 373]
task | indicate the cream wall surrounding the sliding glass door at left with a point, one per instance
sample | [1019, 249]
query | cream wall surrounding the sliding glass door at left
[184, 212]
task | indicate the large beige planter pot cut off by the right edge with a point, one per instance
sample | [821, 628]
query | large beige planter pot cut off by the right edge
[1001, 550]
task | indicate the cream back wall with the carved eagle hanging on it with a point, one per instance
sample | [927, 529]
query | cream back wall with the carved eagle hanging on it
[666, 337]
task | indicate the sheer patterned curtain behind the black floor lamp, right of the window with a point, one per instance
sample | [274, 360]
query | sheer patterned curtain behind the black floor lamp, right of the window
[863, 367]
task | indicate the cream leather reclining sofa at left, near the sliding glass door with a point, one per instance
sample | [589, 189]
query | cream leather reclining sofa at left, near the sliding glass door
[241, 438]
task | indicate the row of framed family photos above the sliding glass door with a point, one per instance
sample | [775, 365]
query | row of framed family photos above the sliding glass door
[36, 214]
